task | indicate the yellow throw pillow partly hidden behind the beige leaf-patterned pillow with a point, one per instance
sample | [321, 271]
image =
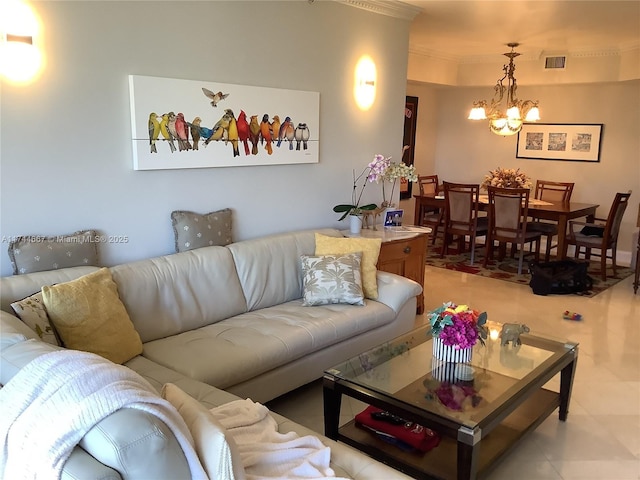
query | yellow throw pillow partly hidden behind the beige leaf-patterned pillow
[370, 248]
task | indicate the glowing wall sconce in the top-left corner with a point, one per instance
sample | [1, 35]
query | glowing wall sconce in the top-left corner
[20, 57]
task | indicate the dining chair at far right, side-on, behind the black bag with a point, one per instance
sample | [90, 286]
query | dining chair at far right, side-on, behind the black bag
[600, 236]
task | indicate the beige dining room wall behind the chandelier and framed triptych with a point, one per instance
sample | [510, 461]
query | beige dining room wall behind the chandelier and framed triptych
[465, 150]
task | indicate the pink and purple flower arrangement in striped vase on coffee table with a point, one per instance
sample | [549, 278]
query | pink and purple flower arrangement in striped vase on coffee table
[455, 330]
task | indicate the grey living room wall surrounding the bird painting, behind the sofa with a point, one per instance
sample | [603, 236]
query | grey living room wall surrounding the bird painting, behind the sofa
[65, 152]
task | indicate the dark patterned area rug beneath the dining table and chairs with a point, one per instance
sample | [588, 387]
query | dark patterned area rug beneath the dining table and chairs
[507, 268]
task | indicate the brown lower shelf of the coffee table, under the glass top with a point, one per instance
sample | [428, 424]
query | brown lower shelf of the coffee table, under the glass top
[441, 462]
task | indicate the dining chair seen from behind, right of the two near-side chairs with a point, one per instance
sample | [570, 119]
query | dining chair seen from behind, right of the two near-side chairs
[508, 209]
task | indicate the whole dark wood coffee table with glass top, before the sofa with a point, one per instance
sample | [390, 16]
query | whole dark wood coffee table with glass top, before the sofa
[511, 391]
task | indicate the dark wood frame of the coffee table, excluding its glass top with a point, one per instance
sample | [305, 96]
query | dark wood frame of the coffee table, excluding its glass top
[460, 454]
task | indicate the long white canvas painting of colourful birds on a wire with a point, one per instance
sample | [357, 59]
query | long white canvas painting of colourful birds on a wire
[199, 124]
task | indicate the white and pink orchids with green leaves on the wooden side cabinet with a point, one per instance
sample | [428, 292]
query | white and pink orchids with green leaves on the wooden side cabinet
[381, 169]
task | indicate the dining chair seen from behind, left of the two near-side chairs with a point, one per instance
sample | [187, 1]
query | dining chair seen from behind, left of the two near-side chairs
[461, 216]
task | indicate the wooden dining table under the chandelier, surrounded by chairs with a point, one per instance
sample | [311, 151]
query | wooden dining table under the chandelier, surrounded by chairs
[560, 212]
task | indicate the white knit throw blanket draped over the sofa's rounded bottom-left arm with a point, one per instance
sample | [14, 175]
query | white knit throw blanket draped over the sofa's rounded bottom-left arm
[57, 398]
